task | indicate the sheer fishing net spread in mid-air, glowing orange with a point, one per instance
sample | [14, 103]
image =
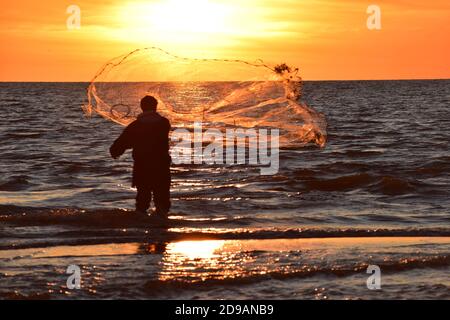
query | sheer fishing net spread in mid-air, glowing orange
[221, 93]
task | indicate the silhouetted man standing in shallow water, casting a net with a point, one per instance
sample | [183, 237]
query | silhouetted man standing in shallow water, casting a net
[148, 136]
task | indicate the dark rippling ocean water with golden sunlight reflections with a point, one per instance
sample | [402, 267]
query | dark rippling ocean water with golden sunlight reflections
[377, 194]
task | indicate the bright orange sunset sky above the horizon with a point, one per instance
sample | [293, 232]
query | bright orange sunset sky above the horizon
[327, 39]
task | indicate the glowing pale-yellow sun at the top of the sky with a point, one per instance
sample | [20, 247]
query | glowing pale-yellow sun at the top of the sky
[176, 21]
